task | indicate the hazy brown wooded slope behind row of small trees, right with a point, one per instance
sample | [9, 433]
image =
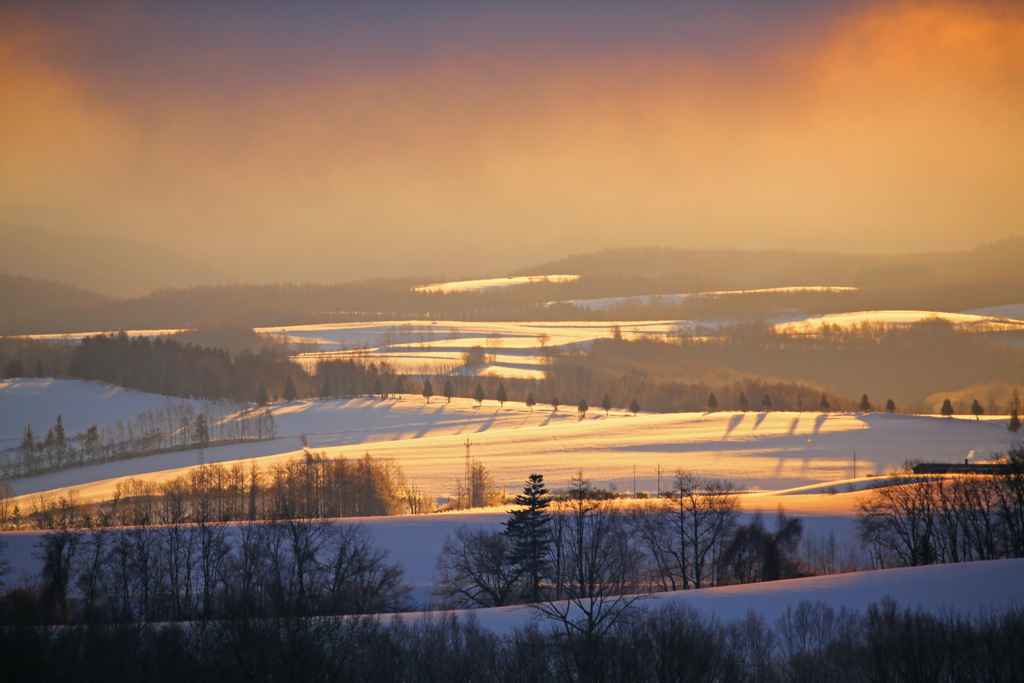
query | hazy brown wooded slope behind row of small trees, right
[907, 364]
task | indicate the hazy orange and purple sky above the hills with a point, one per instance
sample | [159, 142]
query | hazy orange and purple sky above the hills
[330, 142]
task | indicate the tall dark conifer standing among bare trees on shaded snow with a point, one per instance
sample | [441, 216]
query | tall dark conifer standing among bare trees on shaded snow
[529, 528]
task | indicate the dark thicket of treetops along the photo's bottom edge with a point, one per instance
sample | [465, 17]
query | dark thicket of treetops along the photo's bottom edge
[810, 643]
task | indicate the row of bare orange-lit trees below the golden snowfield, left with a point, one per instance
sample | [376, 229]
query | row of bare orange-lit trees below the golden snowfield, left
[312, 487]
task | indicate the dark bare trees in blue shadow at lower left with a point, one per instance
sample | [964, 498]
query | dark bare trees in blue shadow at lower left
[180, 573]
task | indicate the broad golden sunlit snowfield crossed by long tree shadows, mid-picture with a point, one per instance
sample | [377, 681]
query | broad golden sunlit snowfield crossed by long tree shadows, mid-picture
[767, 452]
